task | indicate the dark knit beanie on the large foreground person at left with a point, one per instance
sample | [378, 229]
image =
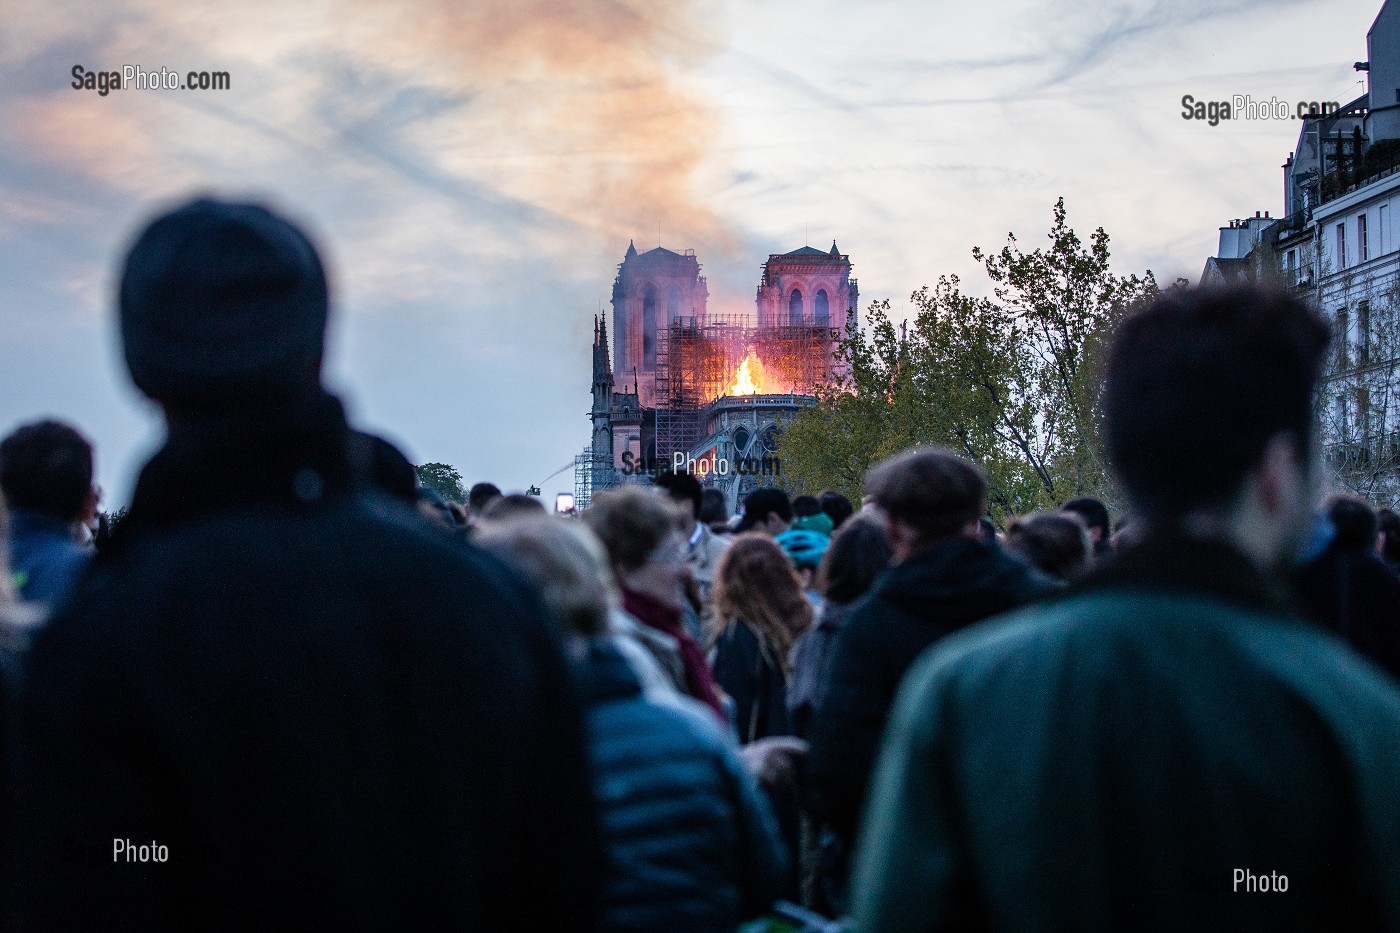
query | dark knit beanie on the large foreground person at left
[223, 306]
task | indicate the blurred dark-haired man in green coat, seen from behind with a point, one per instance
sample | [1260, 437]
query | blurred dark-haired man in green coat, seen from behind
[1164, 749]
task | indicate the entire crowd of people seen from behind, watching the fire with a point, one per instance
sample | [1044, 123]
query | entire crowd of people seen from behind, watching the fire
[295, 687]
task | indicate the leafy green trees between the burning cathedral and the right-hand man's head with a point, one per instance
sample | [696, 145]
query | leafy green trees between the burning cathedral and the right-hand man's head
[1011, 382]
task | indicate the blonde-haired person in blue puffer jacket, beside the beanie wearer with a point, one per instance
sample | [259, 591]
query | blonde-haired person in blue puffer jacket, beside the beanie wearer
[689, 838]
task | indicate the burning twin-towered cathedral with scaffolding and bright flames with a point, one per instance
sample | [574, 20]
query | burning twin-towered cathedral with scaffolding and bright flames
[675, 385]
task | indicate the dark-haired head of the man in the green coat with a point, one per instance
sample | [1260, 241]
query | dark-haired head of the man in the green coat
[1207, 413]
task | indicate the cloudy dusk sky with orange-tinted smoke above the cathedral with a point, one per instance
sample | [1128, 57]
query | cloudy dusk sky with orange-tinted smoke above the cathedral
[474, 172]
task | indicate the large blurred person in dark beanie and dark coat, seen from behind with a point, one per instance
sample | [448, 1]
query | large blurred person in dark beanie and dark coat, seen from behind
[281, 700]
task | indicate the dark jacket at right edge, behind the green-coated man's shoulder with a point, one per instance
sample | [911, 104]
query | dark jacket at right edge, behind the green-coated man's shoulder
[1353, 595]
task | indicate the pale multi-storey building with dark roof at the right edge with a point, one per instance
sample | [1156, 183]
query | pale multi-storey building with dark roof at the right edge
[1339, 243]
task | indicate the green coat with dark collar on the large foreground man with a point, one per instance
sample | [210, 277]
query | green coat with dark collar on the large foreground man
[1121, 759]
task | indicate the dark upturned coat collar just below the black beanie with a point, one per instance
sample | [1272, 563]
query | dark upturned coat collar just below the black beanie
[295, 457]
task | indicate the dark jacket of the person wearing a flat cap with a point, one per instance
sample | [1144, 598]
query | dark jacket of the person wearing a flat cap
[936, 592]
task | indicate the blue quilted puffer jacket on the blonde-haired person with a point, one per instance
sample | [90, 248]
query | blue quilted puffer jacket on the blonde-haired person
[691, 840]
